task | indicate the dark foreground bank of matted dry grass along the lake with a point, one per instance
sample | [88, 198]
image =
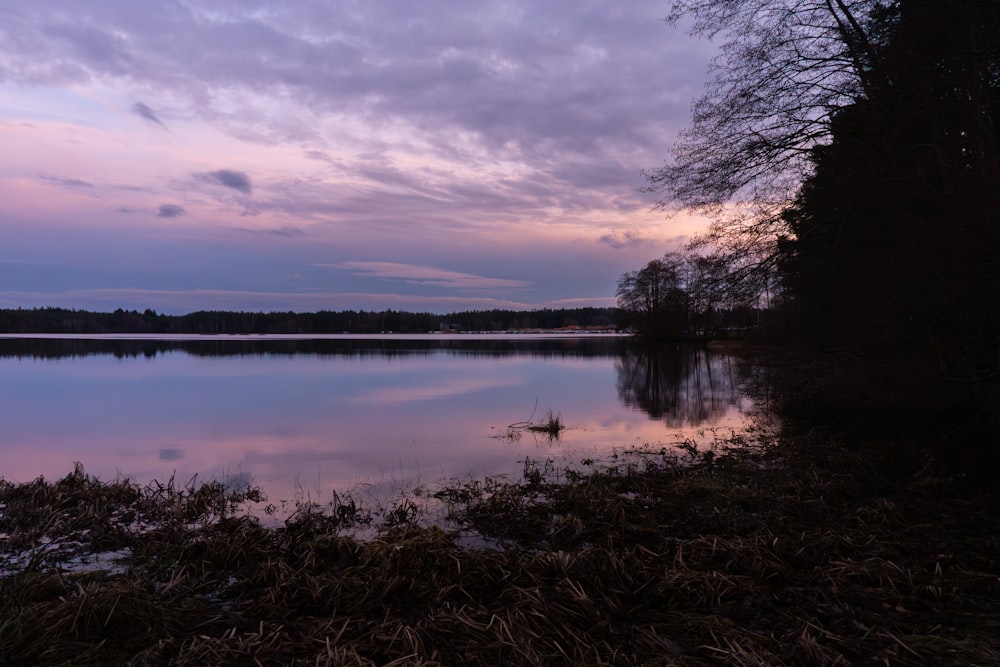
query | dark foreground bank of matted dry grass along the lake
[757, 552]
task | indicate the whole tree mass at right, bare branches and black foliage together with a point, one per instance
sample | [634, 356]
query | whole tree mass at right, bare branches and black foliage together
[851, 150]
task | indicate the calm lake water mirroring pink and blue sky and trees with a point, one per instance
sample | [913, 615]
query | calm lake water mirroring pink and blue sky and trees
[303, 417]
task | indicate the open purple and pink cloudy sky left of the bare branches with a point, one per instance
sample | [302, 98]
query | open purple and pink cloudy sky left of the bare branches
[332, 154]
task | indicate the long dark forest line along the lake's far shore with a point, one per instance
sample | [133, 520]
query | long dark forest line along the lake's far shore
[65, 321]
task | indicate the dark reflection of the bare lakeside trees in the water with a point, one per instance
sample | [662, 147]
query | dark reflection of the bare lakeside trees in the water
[684, 385]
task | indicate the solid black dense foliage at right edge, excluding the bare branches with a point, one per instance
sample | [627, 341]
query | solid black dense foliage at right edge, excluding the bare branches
[892, 266]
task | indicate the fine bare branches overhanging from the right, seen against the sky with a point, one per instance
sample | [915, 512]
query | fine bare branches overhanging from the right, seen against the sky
[785, 67]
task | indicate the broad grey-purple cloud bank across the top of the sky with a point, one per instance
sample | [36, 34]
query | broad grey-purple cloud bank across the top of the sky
[572, 76]
